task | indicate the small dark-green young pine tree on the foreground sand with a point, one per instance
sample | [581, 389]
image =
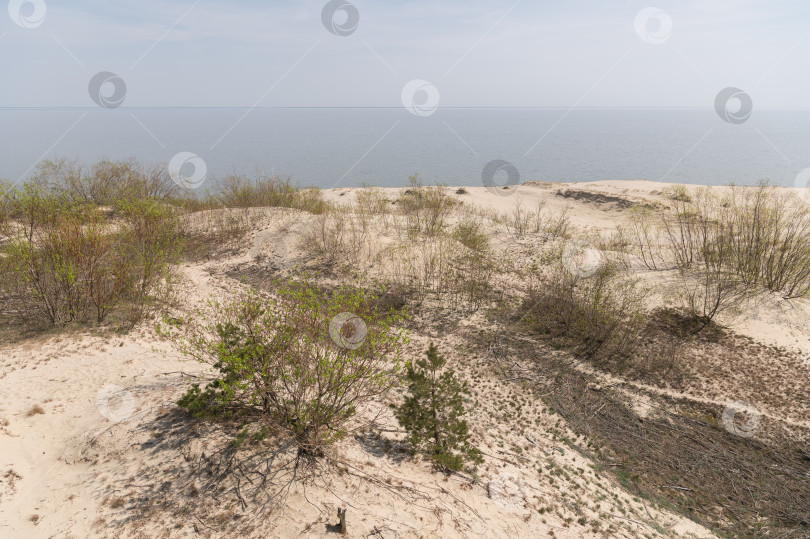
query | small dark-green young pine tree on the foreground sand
[432, 414]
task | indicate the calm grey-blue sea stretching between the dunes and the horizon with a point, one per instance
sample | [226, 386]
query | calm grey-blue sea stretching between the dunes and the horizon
[351, 147]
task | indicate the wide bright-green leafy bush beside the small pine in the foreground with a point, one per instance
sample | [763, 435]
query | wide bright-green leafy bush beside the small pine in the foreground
[298, 359]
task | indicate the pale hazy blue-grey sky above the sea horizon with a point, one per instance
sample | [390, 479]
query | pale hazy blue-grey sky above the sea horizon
[476, 53]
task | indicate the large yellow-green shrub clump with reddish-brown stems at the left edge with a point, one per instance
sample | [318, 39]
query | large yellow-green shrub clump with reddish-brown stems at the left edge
[64, 260]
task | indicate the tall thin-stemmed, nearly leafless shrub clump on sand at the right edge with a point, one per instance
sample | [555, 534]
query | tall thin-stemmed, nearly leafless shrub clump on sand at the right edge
[727, 247]
